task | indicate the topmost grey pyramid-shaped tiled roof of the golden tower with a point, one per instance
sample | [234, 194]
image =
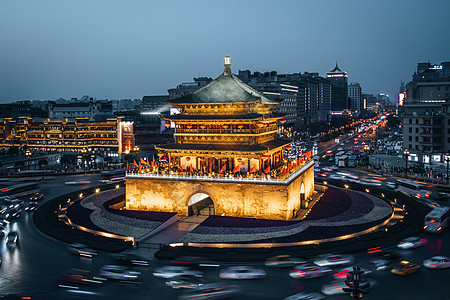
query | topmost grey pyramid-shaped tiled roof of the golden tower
[227, 88]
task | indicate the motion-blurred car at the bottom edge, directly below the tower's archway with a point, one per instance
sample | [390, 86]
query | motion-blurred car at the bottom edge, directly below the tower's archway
[211, 291]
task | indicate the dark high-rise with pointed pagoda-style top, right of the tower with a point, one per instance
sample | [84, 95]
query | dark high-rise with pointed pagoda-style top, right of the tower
[339, 89]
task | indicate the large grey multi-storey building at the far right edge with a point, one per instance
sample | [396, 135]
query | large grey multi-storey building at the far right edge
[426, 116]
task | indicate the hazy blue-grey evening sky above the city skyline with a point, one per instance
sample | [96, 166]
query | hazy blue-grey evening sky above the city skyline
[127, 49]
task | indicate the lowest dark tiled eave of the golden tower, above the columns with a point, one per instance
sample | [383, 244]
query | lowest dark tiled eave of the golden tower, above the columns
[227, 147]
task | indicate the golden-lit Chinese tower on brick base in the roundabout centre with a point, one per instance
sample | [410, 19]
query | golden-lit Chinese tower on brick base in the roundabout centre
[226, 147]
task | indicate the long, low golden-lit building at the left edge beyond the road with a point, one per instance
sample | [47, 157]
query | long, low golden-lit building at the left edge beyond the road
[73, 135]
